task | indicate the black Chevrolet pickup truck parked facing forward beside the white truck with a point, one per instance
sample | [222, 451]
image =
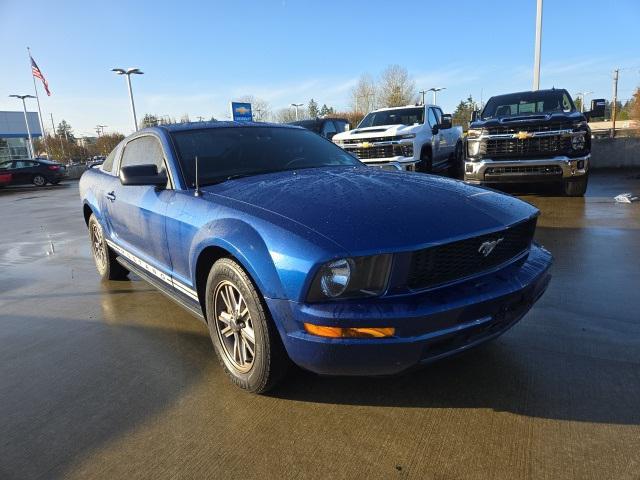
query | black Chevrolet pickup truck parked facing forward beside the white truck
[531, 137]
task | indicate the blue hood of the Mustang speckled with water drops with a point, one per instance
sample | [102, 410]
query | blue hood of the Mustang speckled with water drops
[368, 210]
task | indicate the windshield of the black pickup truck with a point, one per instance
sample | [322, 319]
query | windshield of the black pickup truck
[546, 101]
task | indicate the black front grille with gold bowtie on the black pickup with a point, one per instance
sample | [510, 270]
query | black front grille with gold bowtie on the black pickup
[536, 146]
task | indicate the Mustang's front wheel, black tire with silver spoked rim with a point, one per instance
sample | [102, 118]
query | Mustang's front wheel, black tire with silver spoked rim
[257, 371]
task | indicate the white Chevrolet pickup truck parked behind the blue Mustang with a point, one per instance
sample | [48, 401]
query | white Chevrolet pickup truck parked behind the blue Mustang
[414, 137]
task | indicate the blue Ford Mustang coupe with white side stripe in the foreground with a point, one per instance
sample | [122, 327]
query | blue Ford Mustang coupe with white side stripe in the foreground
[292, 251]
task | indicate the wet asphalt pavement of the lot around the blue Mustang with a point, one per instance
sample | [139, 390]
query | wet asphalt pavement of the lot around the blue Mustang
[115, 381]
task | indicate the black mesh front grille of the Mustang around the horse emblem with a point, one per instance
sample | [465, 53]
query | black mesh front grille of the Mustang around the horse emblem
[457, 260]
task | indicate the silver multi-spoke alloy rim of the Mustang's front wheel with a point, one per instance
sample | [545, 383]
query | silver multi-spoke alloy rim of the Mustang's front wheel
[234, 326]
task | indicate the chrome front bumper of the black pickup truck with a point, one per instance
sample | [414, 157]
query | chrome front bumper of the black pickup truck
[526, 171]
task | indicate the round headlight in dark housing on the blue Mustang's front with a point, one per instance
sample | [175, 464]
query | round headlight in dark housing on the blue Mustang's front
[351, 277]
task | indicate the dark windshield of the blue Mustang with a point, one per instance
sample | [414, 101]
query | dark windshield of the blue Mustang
[241, 151]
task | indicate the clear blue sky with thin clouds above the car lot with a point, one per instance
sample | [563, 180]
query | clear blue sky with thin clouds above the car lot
[199, 55]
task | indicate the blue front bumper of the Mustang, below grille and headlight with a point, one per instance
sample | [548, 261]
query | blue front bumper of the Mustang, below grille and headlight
[429, 325]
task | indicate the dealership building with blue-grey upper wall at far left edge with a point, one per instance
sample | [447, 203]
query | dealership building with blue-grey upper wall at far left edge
[14, 140]
